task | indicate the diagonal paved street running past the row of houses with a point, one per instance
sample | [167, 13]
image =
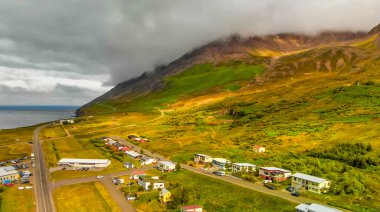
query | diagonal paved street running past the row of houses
[234, 180]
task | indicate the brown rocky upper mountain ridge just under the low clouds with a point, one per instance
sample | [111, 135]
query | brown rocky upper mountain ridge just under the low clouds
[254, 50]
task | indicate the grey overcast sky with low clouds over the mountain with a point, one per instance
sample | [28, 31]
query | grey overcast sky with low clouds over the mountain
[69, 52]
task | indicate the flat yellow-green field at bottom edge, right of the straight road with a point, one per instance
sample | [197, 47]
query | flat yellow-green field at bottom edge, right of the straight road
[84, 197]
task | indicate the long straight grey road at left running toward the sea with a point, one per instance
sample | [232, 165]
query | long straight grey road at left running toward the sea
[42, 187]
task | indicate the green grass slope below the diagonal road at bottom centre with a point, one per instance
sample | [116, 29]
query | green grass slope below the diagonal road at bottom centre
[212, 194]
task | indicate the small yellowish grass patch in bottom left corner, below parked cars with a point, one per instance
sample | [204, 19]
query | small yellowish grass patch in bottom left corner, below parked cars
[13, 199]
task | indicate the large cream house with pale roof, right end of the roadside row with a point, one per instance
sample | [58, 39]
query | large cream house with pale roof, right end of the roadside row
[311, 183]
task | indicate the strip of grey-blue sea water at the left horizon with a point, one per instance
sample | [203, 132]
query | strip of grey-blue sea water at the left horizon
[22, 116]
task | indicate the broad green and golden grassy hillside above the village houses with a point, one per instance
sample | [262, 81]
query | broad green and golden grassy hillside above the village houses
[315, 111]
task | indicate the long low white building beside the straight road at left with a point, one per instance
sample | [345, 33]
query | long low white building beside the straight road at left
[84, 163]
